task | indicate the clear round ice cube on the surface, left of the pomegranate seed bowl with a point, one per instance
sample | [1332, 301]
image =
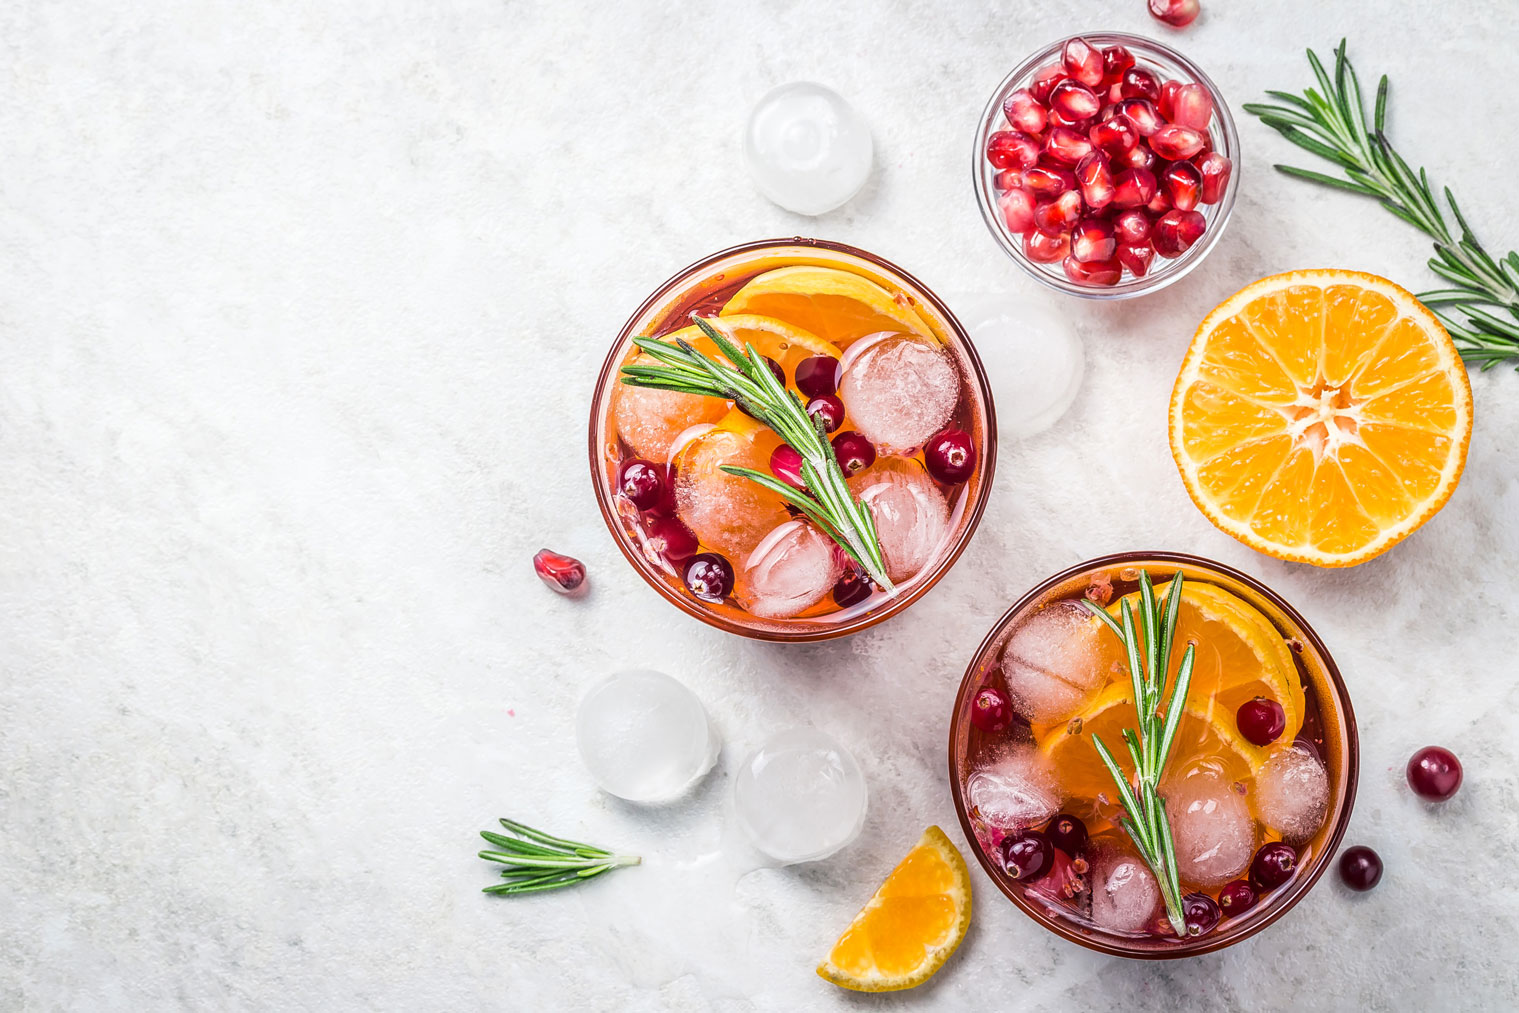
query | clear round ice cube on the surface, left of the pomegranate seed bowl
[807, 150]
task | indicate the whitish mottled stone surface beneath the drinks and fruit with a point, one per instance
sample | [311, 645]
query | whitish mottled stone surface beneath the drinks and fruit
[300, 311]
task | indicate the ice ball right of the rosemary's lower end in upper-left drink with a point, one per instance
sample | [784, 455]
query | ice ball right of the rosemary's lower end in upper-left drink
[909, 511]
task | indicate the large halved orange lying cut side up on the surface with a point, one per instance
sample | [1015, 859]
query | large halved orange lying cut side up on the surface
[1321, 417]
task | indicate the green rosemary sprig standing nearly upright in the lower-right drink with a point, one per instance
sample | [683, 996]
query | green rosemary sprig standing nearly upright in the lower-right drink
[1151, 748]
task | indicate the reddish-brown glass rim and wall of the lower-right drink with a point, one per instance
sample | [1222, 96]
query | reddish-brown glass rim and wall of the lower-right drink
[1334, 737]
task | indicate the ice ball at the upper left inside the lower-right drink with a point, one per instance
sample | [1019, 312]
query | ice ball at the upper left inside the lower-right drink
[1055, 661]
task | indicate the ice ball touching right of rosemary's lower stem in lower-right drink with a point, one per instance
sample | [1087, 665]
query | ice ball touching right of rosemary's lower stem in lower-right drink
[1211, 828]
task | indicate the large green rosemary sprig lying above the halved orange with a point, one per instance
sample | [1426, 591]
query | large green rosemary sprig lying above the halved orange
[1482, 309]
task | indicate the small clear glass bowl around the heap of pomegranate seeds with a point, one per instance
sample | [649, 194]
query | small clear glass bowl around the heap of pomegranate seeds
[1169, 65]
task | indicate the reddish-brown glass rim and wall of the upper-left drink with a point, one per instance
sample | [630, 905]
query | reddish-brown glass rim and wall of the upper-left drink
[707, 285]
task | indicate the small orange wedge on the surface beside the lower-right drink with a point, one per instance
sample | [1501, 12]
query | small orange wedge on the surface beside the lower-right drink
[912, 924]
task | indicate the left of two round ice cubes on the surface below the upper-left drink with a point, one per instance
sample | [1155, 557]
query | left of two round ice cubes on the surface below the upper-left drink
[645, 737]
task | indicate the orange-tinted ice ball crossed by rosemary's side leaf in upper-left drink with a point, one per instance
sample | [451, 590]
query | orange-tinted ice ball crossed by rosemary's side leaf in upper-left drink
[727, 513]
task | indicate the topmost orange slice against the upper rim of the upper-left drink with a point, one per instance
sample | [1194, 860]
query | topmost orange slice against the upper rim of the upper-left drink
[829, 303]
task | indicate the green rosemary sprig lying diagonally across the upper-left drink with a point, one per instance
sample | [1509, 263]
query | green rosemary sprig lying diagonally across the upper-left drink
[748, 382]
